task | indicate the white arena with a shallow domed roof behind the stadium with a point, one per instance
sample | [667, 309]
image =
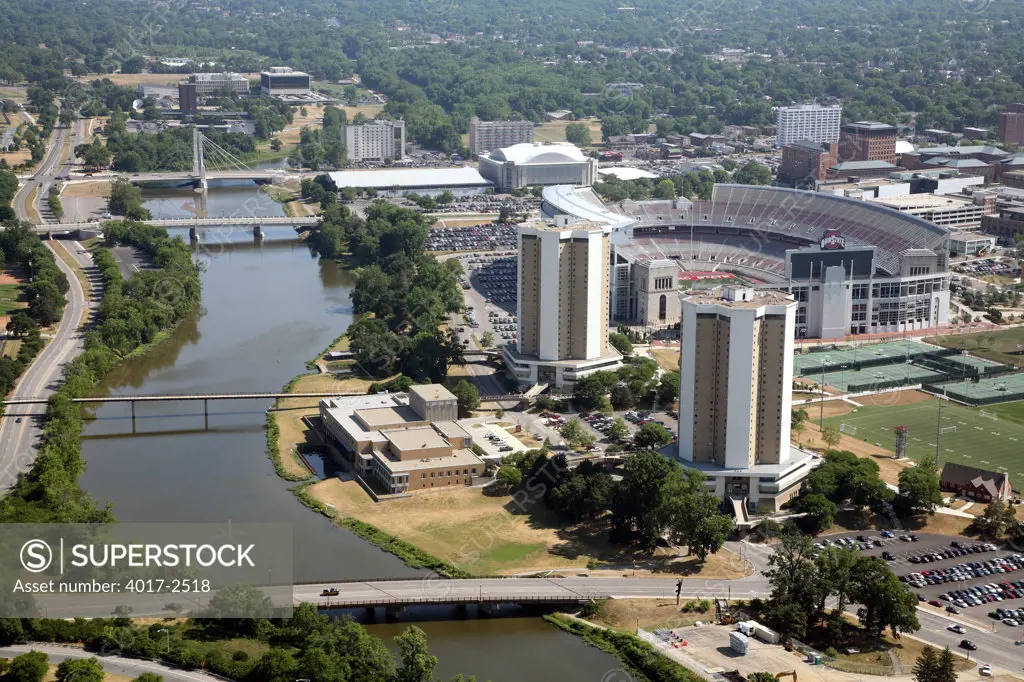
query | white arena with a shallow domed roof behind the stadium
[531, 165]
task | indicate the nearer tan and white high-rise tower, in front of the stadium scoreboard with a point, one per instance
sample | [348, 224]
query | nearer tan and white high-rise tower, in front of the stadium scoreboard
[736, 396]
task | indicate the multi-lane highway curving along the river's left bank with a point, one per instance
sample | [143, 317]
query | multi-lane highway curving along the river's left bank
[18, 440]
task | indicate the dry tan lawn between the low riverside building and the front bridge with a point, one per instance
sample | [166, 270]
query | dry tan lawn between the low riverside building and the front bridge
[488, 535]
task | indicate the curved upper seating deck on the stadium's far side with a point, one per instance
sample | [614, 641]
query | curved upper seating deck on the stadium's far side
[804, 216]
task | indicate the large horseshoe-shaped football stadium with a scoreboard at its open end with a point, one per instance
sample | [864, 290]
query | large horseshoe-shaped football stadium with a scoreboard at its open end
[854, 267]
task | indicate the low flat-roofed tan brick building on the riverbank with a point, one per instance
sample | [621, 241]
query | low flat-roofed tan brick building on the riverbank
[402, 443]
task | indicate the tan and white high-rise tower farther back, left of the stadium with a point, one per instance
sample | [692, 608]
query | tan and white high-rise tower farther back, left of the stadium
[564, 304]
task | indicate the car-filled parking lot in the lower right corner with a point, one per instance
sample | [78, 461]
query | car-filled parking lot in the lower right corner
[972, 578]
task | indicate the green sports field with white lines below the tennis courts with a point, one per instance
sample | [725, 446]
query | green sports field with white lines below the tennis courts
[995, 442]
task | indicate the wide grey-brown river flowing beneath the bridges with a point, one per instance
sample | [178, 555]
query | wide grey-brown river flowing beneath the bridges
[267, 311]
